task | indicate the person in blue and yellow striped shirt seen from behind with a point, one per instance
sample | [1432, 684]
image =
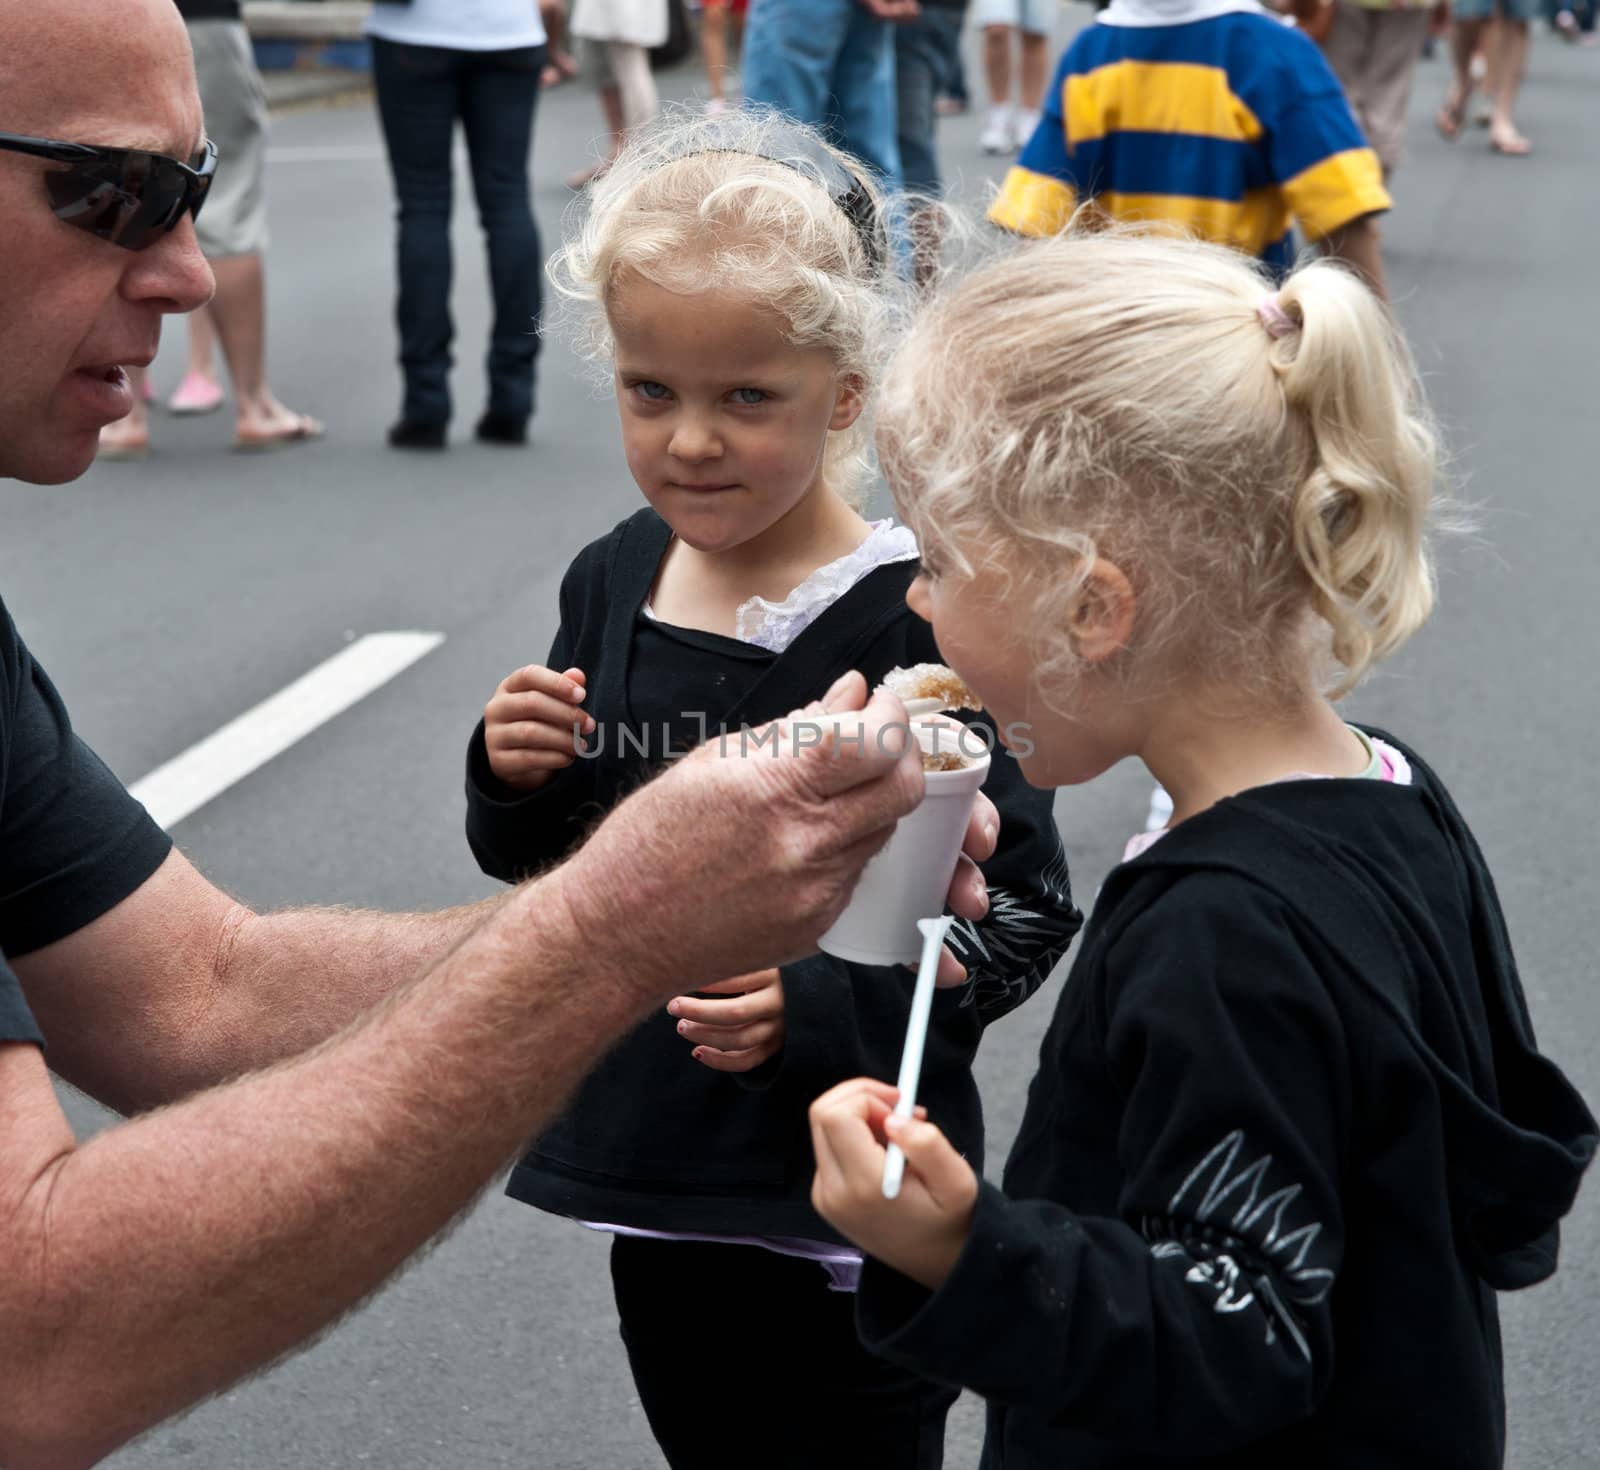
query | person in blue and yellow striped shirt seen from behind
[1207, 114]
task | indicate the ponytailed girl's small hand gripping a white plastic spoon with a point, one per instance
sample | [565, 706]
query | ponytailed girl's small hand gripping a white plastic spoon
[922, 1232]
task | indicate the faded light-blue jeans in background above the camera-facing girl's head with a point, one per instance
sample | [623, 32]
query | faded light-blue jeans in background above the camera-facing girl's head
[831, 65]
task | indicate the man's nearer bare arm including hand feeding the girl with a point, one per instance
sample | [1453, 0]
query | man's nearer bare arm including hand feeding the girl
[180, 1252]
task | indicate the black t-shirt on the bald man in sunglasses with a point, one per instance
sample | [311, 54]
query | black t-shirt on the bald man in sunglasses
[73, 842]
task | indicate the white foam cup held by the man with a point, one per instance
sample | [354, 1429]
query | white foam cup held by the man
[910, 877]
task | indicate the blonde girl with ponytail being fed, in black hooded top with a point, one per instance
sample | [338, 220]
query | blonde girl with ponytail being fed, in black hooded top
[1290, 1130]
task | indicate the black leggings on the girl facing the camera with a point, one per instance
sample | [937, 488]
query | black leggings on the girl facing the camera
[746, 1359]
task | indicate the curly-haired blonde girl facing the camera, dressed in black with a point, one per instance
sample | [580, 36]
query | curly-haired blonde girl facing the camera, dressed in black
[732, 278]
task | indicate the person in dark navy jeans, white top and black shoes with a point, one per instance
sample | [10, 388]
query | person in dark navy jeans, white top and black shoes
[436, 62]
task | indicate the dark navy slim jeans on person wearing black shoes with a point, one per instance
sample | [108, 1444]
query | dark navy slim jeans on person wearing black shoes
[422, 92]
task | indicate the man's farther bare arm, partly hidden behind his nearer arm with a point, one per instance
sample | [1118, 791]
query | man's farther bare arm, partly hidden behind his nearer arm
[180, 988]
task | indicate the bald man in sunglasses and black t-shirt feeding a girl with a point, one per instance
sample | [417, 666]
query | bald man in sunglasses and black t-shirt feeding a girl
[286, 1069]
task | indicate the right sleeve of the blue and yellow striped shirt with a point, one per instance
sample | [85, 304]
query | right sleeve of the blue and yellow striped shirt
[1319, 156]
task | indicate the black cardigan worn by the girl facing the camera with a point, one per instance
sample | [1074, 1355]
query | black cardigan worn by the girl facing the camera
[658, 1141]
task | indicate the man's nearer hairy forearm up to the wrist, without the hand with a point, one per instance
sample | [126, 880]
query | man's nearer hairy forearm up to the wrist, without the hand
[177, 1253]
